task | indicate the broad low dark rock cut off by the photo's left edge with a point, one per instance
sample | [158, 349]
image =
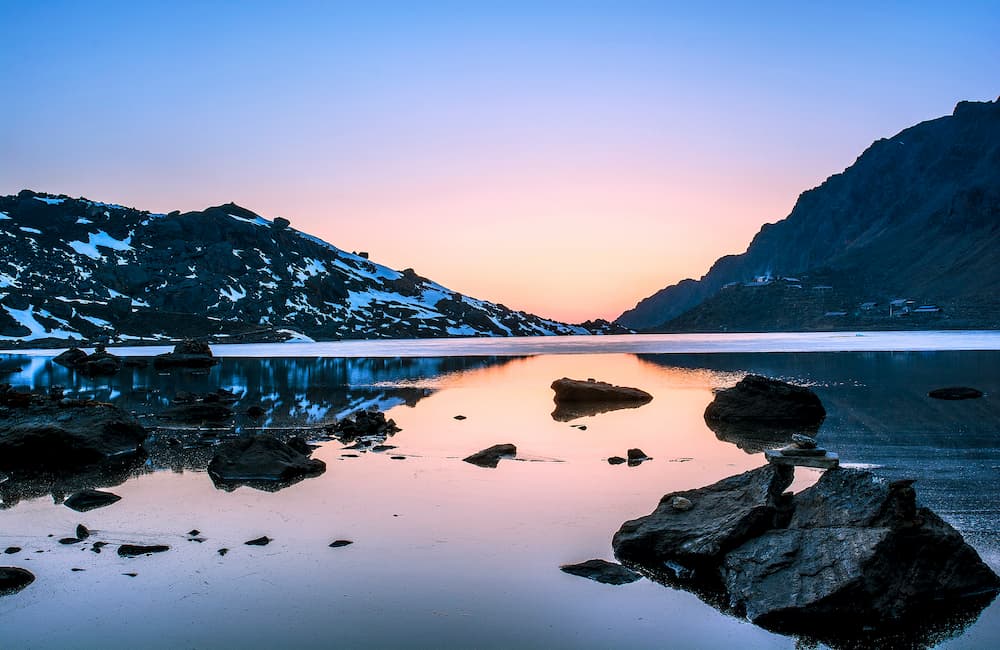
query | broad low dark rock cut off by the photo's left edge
[69, 433]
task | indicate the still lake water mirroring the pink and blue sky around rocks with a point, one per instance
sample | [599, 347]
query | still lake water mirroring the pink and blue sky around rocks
[448, 554]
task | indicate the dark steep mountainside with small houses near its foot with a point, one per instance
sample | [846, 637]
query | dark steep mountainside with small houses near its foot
[915, 219]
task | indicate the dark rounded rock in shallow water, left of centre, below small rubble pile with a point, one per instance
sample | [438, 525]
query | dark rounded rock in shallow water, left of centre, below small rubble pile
[260, 460]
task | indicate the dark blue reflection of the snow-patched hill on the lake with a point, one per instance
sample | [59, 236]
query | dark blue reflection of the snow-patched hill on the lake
[298, 396]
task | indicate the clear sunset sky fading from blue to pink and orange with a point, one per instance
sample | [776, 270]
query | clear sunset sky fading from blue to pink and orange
[564, 158]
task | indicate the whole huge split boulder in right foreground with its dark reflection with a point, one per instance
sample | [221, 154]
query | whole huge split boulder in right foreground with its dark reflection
[850, 555]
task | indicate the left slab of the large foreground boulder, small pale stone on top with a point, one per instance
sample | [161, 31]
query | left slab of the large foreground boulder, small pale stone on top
[724, 515]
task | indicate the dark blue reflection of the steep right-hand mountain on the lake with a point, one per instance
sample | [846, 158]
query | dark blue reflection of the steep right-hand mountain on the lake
[878, 412]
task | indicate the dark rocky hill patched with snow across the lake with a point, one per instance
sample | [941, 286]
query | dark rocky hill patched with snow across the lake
[74, 269]
